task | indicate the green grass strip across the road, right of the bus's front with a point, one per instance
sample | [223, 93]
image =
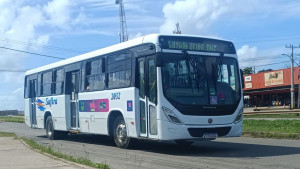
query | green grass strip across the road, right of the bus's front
[280, 129]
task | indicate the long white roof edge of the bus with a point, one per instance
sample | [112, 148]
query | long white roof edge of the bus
[151, 38]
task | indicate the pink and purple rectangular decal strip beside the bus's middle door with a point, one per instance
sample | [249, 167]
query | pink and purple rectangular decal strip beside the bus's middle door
[99, 105]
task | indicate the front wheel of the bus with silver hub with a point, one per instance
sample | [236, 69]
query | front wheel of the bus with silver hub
[121, 138]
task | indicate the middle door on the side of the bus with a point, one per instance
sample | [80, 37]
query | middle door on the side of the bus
[73, 86]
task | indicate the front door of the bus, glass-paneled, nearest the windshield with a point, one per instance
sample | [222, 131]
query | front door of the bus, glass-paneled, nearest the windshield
[147, 97]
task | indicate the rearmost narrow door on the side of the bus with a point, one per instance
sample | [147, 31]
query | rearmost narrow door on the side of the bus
[33, 91]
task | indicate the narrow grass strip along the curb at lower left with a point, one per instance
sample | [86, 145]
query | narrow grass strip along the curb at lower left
[80, 160]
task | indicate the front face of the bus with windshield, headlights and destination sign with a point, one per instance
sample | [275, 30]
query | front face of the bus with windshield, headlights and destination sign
[200, 93]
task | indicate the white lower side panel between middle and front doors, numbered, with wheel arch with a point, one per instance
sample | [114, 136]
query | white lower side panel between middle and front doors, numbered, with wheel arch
[94, 109]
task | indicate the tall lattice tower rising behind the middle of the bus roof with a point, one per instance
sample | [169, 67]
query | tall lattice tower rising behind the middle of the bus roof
[123, 27]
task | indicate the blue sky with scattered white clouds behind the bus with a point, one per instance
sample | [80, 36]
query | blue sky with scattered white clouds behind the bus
[259, 29]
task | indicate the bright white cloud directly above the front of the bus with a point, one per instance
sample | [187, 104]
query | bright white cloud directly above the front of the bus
[192, 15]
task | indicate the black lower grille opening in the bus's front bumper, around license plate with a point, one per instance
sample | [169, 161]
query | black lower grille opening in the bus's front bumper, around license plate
[198, 132]
